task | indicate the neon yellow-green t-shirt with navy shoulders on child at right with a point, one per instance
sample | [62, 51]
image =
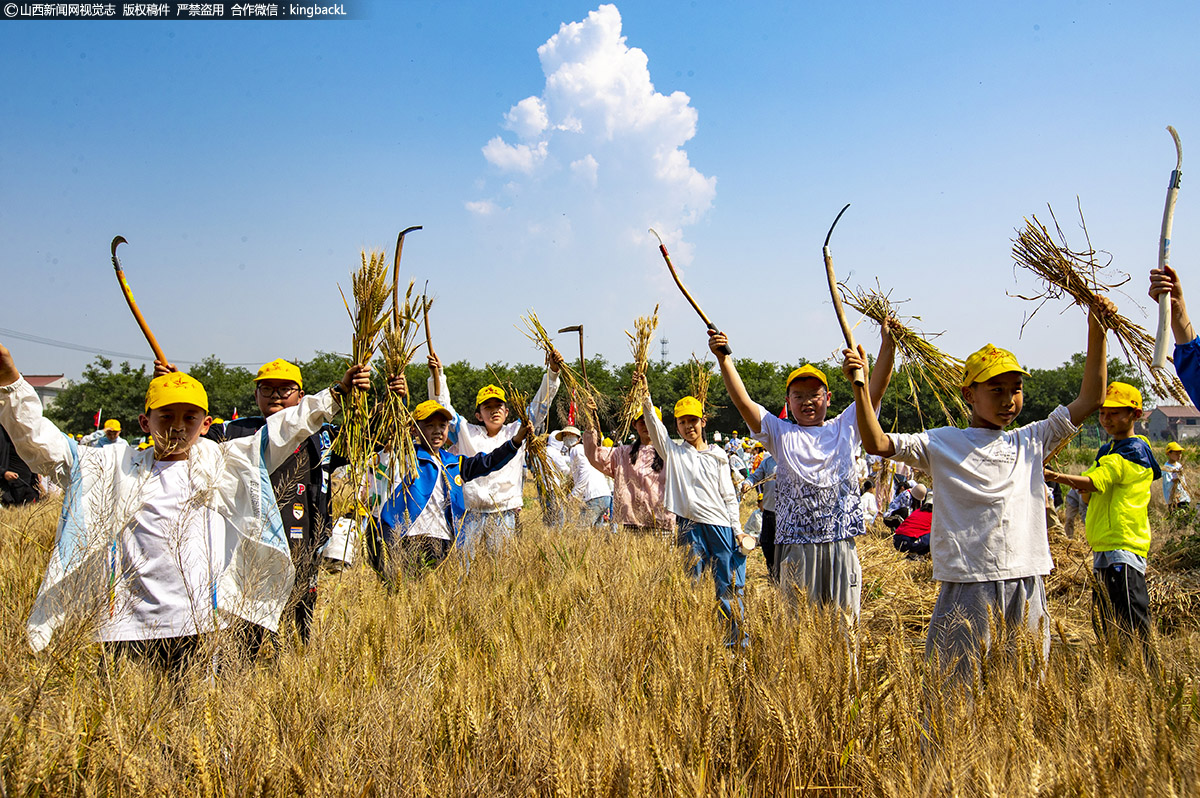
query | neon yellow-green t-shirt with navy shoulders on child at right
[1118, 515]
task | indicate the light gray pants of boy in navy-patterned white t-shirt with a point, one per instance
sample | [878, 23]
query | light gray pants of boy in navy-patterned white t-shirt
[826, 573]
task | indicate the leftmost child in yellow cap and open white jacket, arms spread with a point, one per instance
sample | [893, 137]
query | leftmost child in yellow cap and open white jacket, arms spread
[158, 548]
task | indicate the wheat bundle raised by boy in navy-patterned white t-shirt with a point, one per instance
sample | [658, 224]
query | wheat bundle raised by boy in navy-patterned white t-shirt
[922, 363]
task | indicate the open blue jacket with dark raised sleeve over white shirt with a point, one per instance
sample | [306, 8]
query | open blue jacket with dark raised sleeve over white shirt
[412, 499]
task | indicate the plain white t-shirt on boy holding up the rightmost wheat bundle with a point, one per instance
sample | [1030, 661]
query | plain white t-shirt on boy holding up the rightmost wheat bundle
[991, 523]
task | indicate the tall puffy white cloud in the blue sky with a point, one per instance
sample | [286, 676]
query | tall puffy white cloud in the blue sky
[598, 113]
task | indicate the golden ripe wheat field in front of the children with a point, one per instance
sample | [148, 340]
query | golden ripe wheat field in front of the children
[586, 663]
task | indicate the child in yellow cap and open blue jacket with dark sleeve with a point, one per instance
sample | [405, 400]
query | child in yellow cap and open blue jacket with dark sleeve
[427, 514]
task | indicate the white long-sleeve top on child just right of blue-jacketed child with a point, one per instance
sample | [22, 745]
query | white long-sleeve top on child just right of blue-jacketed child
[500, 491]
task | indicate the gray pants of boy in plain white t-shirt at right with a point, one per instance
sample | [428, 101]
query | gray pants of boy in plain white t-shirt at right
[961, 631]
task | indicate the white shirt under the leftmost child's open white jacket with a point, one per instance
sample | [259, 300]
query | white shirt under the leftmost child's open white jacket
[169, 561]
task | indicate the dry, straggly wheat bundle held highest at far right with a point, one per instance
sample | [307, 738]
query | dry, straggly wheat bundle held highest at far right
[1077, 275]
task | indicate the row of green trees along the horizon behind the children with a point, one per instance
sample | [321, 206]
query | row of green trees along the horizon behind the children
[909, 405]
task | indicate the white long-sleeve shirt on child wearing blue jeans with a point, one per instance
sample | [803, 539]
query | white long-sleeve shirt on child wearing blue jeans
[699, 484]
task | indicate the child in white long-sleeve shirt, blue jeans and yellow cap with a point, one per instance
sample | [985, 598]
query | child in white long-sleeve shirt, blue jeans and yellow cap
[700, 493]
